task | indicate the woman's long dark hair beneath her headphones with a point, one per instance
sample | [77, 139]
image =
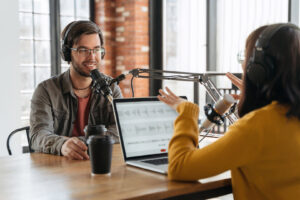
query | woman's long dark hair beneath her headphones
[284, 85]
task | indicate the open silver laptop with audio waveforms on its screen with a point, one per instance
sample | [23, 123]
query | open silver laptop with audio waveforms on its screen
[145, 127]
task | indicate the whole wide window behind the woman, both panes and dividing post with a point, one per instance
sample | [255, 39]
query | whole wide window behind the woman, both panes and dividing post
[191, 28]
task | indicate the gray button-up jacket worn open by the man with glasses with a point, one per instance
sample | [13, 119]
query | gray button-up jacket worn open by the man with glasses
[54, 109]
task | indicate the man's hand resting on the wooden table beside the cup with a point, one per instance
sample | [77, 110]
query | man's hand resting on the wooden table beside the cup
[74, 149]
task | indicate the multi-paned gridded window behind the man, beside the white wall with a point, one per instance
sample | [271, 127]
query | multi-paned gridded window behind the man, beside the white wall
[35, 41]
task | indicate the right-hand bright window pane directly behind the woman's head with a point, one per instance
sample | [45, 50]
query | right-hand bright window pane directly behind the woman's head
[236, 20]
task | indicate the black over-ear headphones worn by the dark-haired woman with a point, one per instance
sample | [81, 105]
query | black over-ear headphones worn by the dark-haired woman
[260, 67]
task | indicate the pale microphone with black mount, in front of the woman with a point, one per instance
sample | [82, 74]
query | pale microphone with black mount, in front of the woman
[214, 113]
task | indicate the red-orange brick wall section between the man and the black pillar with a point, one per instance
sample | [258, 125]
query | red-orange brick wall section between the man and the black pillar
[125, 27]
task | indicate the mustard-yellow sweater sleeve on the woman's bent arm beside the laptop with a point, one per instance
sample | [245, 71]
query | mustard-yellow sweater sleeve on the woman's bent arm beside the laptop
[239, 146]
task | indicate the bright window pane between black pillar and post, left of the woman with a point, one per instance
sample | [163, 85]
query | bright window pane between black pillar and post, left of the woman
[184, 42]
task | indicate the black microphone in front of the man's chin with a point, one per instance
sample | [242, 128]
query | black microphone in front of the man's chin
[100, 84]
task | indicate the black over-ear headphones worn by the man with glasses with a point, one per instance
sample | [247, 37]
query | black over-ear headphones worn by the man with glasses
[65, 48]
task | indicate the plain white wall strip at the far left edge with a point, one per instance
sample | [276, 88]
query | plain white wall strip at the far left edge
[9, 78]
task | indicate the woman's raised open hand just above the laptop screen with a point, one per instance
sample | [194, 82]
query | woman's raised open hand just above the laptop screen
[170, 98]
